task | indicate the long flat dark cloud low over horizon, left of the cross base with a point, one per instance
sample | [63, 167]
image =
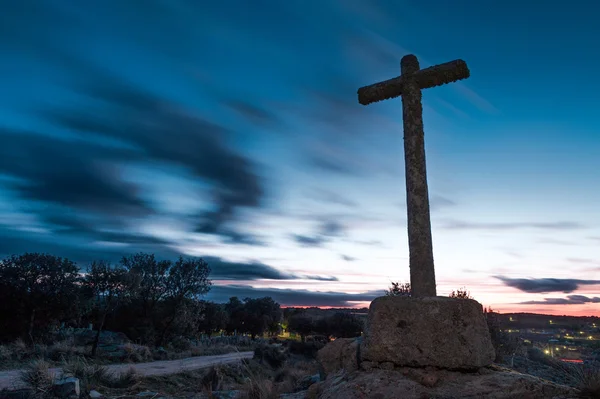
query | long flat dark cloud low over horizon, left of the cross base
[289, 297]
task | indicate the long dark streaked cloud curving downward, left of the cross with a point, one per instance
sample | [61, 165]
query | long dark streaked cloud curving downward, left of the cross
[164, 132]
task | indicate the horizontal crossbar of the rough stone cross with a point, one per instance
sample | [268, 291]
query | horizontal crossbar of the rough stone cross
[426, 78]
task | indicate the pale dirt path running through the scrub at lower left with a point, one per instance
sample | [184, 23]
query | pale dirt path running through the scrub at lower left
[10, 379]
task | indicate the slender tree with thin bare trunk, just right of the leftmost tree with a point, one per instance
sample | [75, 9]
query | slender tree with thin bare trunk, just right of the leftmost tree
[109, 287]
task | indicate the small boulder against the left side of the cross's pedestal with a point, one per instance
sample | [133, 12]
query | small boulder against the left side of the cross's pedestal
[339, 354]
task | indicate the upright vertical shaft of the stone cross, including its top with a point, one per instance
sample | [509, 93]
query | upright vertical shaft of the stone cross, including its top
[422, 273]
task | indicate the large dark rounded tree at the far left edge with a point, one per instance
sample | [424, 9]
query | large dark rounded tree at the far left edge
[46, 286]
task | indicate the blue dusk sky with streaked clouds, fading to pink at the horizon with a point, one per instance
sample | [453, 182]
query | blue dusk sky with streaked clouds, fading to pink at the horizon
[231, 130]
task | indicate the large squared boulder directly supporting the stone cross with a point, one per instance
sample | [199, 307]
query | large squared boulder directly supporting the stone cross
[435, 331]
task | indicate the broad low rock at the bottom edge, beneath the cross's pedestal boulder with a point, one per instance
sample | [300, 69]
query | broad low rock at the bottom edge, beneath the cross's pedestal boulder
[437, 383]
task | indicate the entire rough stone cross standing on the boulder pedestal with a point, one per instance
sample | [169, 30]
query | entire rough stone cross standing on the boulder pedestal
[409, 85]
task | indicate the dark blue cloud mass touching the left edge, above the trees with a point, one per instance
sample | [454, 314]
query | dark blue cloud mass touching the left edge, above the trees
[72, 173]
